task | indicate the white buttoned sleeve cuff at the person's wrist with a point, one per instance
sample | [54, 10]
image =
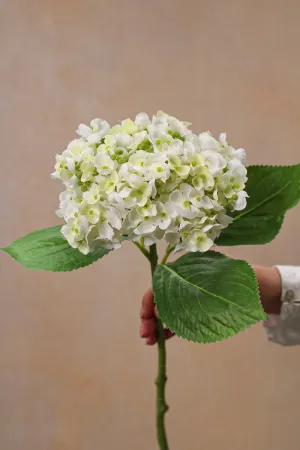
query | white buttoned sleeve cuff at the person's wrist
[284, 329]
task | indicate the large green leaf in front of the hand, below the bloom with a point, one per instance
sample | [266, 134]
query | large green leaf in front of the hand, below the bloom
[207, 297]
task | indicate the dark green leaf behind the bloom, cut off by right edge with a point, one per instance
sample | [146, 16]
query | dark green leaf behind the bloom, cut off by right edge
[272, 191]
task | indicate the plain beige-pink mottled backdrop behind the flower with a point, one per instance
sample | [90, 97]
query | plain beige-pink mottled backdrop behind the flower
[74, 374]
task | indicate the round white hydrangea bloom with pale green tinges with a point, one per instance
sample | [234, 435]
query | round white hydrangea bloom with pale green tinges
[148, 179]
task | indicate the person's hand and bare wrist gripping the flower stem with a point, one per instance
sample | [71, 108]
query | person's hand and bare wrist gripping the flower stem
[269, 283]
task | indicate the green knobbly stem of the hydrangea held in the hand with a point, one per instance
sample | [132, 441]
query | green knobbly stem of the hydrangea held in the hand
[161, 406]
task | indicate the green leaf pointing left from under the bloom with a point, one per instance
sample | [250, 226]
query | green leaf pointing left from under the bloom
[47, 250]
